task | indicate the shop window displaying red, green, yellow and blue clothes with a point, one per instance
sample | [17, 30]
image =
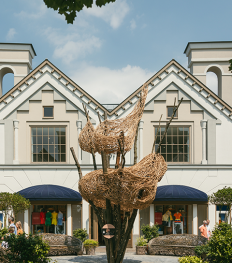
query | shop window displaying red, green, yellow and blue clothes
[49, 219]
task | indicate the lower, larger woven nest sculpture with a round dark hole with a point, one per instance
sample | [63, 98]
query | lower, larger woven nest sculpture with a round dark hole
[131, 188]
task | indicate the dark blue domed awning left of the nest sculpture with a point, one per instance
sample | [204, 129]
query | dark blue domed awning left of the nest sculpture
[50, 192]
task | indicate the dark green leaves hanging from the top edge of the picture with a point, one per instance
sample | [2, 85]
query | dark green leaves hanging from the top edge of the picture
[69, 8]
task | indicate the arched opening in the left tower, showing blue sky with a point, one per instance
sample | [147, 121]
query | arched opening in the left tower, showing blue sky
[6, 80]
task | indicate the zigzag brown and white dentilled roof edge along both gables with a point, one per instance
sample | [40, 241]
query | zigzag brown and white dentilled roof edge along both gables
[172, 66]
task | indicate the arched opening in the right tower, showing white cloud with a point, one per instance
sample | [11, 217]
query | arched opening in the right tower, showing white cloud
[214, 80]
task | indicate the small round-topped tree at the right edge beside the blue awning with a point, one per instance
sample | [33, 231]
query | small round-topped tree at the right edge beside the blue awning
[222, 197]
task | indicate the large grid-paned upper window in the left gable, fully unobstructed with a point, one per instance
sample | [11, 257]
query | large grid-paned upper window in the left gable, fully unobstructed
[48, 144]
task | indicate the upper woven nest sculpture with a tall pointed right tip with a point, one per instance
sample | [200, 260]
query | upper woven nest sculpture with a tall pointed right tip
[105, 137]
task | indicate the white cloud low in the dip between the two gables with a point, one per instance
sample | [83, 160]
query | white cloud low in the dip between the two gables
[108, 85]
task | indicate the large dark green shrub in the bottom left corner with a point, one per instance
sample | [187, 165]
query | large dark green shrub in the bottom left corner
[27, 248]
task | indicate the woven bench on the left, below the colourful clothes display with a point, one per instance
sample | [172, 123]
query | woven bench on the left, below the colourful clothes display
[62, 244]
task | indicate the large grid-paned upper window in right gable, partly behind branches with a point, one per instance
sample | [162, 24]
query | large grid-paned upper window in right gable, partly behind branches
[176, 144]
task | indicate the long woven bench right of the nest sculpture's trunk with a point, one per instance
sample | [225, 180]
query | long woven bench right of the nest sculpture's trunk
[175, 245]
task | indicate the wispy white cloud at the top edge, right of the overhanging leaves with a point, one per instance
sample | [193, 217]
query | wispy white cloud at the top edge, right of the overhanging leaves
[112, 13]
